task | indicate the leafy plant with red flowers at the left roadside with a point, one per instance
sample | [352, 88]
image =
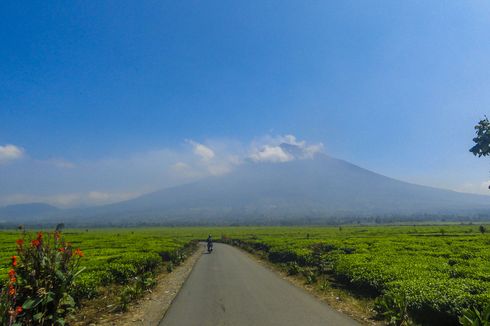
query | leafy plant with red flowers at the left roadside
[40, 281]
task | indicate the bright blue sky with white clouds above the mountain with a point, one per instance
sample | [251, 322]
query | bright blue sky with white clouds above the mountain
[104, 101]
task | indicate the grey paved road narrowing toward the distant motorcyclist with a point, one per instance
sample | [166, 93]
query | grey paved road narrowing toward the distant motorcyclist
[228, 288]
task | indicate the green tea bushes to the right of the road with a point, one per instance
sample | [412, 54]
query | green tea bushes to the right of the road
[429, 275]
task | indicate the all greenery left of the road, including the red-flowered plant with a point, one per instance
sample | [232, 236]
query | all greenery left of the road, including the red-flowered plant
[114, 269]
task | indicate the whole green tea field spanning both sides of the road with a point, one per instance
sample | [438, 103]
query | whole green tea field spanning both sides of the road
[429, 273]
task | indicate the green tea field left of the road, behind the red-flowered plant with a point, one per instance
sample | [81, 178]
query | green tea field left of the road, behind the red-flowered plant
[115, 256]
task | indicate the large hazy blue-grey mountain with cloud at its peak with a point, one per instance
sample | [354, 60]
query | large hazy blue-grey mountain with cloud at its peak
[317, 188]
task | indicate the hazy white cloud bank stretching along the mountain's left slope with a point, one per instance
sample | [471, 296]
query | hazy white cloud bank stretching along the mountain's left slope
[67, 182]
